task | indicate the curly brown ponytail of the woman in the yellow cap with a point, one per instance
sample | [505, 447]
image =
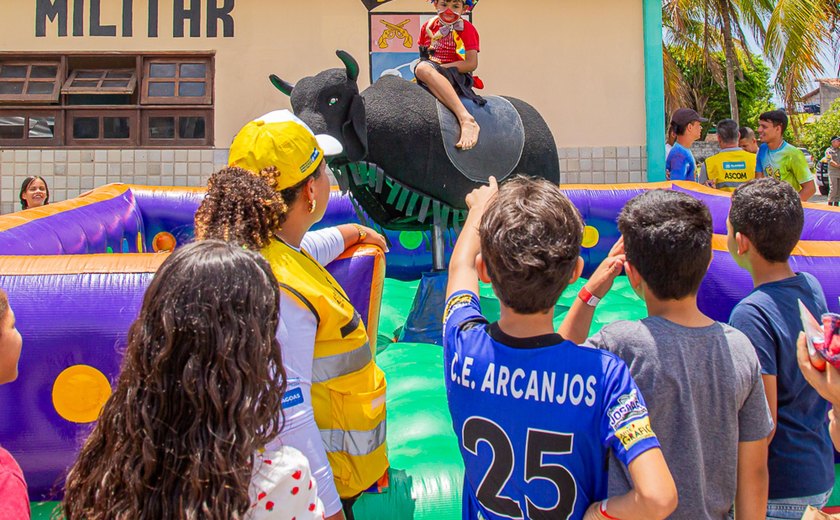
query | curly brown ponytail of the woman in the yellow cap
[240, 207]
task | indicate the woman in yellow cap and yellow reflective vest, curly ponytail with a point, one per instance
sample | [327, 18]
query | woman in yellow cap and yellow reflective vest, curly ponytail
[275, 190]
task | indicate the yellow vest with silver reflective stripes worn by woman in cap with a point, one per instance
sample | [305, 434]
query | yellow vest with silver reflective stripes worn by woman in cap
[348, 389]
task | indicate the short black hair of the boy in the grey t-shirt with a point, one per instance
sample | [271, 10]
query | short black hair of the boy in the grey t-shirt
[668, 239]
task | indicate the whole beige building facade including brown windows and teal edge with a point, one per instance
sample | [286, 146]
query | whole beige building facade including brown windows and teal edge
[153, 91]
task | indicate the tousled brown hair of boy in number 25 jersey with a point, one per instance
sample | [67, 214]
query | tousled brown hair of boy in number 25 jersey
[530, 242]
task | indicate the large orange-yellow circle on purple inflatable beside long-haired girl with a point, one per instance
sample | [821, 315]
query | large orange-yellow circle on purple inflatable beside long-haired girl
[79, 392]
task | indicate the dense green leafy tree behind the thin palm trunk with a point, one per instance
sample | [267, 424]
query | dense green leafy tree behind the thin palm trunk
[710, 97]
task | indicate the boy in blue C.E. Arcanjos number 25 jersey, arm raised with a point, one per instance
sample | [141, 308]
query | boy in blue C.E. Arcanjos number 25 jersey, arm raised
[536, 416]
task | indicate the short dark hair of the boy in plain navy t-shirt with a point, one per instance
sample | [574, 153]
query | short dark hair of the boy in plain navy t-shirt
[770, 214]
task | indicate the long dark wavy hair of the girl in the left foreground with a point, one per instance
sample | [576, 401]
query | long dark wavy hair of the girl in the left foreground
[199, 392]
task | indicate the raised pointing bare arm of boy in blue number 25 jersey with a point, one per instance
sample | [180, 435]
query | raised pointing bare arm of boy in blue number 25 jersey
[462, 271]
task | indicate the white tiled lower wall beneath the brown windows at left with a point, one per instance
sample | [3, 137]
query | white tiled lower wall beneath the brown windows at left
[71, 172]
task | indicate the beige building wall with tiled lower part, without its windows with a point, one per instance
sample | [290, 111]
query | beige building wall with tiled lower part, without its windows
[580, 65]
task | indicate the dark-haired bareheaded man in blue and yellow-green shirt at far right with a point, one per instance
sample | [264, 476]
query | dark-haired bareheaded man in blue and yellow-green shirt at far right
[780, 160]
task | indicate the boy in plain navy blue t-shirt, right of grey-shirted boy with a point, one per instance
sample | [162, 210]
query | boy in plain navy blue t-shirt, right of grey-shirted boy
[764, 225]
